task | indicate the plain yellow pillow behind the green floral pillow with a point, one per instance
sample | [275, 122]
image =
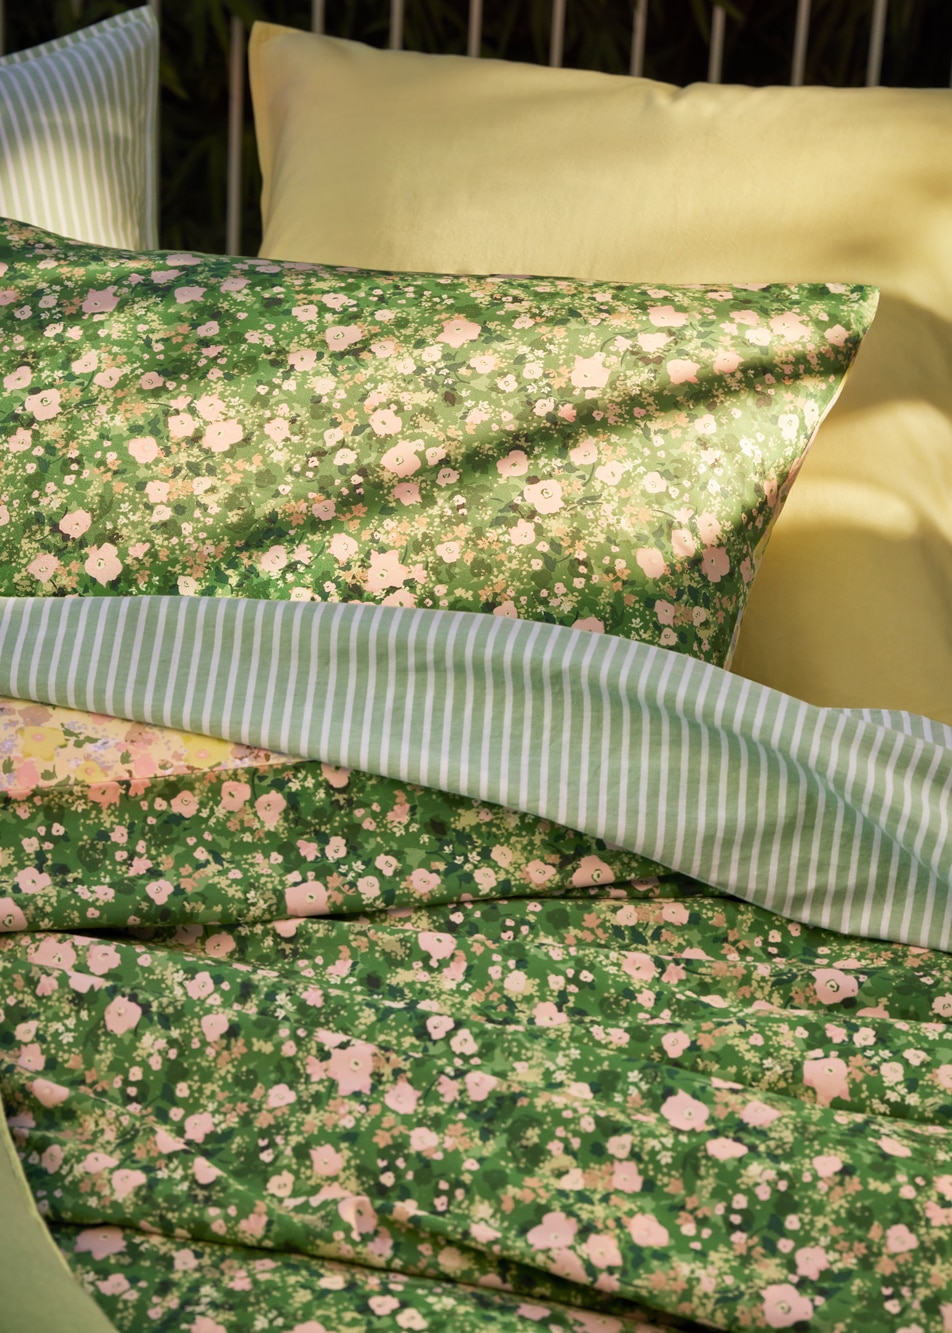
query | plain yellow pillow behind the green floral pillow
[439, 163]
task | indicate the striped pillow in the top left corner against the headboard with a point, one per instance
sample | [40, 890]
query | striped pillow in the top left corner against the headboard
[78, 133]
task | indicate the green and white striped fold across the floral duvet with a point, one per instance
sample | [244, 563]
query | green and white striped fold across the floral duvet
[826, 816]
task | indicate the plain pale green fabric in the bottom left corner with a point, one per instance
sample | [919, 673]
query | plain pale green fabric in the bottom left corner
[38, 1291]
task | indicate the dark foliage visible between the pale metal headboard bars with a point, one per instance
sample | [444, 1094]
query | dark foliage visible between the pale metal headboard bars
[598, 35]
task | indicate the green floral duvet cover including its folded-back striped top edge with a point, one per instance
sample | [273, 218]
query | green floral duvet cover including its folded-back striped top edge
[302, 1044]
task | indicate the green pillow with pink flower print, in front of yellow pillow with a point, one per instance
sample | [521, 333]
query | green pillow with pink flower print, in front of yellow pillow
[590, 454]
